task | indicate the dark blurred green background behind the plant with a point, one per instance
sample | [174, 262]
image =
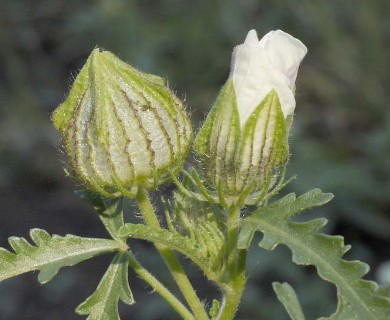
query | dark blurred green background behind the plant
[340, 140]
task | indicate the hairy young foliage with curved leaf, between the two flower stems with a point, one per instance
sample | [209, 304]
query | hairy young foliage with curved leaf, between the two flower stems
[195, 229]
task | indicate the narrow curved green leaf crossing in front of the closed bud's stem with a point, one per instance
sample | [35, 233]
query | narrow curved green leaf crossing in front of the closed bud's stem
[185, 245]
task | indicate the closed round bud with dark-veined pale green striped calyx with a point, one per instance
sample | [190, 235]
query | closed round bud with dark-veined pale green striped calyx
[122, 128]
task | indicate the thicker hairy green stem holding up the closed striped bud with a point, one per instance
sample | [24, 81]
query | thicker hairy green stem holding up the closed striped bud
[170, 258]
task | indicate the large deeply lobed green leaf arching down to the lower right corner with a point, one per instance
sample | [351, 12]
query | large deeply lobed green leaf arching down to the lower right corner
[310, 247]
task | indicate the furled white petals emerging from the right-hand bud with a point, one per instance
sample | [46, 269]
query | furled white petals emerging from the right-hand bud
[259, 66]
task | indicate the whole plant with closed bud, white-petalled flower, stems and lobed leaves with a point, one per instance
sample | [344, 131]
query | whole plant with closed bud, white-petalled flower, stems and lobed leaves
[125, 133]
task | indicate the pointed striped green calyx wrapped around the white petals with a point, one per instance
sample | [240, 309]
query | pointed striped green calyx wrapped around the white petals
[241, 160]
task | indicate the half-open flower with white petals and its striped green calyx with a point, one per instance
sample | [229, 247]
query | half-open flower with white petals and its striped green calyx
[245, 136]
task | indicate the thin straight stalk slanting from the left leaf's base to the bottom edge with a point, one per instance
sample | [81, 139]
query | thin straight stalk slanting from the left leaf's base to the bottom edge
[160, 288]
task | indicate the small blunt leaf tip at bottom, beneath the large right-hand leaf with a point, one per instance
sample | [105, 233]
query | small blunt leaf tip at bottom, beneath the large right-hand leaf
[288, 298]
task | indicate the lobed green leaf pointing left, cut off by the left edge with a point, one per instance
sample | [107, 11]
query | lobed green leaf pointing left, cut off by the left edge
[49, 253]
